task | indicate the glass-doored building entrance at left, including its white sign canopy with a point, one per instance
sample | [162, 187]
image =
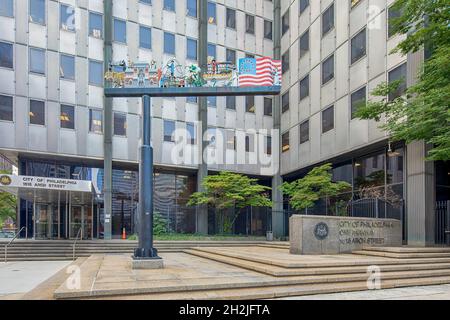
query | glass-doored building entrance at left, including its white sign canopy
[55, 208]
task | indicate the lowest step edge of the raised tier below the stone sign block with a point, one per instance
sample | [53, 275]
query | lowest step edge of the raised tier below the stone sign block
[331, 270]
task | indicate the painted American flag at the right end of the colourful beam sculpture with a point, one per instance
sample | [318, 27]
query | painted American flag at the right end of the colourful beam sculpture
[259, 72]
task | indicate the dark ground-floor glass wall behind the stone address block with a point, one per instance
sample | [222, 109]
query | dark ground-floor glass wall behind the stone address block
[377, 187]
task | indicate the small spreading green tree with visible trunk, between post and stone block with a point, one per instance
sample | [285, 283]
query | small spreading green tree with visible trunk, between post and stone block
[228, 190]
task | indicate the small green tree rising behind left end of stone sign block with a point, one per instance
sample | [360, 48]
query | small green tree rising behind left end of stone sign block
[303, 193]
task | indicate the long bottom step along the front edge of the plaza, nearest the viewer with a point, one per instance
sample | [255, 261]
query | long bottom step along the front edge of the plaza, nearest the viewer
[279, 291]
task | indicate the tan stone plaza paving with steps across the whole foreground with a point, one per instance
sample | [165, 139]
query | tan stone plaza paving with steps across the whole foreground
[252, 272]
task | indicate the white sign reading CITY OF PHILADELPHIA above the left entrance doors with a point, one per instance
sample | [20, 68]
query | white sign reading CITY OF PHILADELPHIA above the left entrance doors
[13, 181]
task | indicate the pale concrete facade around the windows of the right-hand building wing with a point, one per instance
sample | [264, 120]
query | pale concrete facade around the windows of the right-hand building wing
[370, 70]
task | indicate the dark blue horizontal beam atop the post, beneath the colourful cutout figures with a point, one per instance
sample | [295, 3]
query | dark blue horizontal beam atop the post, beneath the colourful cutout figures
[192, 91]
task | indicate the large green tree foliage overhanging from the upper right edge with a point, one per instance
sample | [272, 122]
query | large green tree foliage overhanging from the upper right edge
[423, 113]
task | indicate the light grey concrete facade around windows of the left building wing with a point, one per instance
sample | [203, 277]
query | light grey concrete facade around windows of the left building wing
[18, 82]
